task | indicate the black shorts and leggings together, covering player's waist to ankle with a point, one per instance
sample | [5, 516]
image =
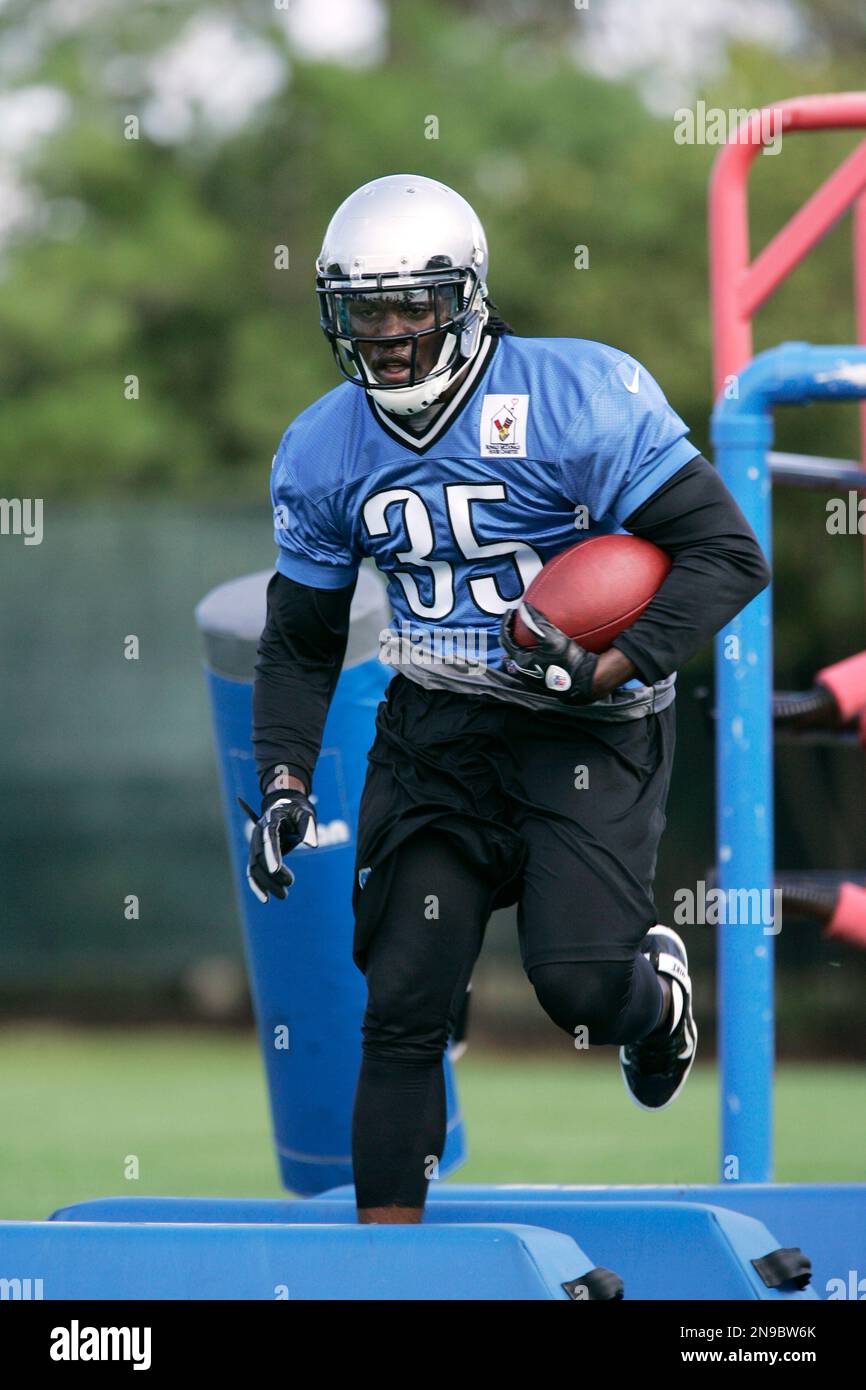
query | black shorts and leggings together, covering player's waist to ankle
[472, 806]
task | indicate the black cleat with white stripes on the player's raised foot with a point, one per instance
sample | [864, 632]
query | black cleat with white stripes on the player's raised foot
[657, 1067]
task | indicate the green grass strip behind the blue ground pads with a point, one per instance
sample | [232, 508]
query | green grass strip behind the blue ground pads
[193, 1109]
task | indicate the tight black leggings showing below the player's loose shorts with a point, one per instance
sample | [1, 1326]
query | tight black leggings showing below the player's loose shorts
[420, 961]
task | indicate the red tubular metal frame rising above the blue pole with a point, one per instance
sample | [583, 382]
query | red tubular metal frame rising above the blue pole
[739, 286]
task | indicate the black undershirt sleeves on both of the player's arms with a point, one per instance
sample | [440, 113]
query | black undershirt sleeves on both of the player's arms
[718, 568]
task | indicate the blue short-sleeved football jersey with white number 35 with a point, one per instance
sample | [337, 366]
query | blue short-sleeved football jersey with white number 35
[550, 441]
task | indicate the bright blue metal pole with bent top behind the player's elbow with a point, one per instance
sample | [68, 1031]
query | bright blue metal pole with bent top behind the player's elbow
[743, 434]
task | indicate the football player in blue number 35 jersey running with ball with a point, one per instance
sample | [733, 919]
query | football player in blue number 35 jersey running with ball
[461, 458]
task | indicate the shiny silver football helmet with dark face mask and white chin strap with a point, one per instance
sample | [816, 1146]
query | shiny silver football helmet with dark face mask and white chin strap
[415, 241]
